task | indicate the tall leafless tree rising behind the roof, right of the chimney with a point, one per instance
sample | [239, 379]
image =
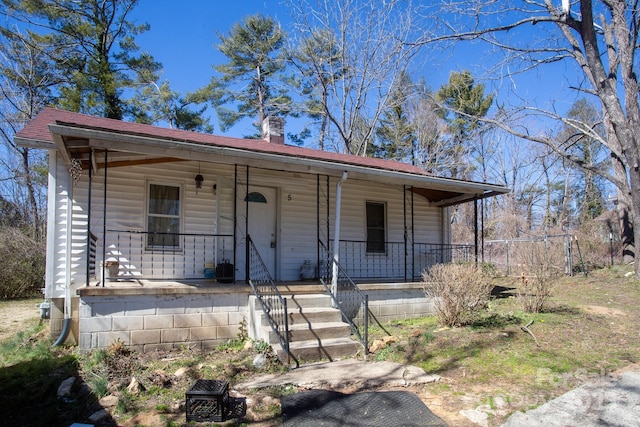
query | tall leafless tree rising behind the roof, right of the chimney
[363, 49]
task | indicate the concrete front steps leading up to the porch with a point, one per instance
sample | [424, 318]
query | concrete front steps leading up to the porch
[316, 330]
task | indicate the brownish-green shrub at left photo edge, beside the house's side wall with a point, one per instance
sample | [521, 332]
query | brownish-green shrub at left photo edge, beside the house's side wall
[22, 266]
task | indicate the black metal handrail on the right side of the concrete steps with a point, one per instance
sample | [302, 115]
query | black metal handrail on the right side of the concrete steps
[347, 297]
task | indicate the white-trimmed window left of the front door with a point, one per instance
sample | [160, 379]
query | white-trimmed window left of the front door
[163, 217]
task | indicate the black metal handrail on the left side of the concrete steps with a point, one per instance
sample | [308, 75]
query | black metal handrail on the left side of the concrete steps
[273, 305]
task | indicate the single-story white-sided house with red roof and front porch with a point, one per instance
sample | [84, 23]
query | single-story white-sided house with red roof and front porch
[161, 238]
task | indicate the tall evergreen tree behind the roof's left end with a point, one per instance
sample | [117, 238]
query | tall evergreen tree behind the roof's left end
[95, 50]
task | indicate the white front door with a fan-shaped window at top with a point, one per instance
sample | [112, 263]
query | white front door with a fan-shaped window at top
[262, 225]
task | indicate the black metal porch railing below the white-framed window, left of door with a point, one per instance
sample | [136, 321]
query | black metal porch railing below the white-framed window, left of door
[167, 256]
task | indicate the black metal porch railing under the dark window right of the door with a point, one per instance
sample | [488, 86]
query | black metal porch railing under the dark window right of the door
[398, 260]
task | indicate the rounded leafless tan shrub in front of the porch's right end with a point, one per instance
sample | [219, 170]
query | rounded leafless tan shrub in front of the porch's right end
[459, 291]
